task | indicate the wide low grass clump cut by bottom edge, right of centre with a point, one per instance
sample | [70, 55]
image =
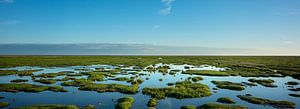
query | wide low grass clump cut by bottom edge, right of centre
[220, 106]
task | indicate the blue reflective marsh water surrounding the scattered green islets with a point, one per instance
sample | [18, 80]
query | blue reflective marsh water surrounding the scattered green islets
[107, 100]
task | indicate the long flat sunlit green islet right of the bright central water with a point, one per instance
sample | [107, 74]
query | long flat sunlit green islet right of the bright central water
[206, 72]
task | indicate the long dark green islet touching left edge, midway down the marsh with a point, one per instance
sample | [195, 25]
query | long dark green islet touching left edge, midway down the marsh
[29, 88]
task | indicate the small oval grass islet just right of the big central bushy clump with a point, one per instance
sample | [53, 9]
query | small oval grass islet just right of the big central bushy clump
[229, 85]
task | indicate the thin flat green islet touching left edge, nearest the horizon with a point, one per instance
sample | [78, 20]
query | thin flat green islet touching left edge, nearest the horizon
[16, 72]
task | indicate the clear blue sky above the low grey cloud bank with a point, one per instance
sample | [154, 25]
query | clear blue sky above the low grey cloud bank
[255, 24]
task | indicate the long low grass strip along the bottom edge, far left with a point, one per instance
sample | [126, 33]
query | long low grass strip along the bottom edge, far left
[49, 106]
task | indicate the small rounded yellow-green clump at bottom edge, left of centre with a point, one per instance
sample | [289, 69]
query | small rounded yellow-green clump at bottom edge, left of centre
[124, 103]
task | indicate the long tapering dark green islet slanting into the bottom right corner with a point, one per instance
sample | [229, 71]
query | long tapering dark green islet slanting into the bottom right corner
[262, 101]
